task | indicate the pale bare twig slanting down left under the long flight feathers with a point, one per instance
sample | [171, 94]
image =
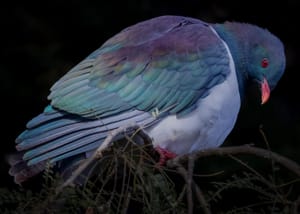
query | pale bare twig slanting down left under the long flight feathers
[98, 153]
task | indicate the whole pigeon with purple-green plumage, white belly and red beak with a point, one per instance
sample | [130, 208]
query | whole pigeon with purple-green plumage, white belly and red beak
[179, 78]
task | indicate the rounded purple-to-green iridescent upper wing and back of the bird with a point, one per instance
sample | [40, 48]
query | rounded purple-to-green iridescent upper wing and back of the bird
[163, 65]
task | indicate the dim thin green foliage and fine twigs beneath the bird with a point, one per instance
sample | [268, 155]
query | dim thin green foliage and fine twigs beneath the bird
[127, 180]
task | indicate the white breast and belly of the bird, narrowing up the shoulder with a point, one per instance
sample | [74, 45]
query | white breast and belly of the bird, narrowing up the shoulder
[205, 127]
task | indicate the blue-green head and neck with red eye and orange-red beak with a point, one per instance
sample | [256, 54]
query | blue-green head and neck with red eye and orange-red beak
[258, 55]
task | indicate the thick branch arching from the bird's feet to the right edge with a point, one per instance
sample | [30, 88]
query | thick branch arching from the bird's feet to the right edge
[244, 149]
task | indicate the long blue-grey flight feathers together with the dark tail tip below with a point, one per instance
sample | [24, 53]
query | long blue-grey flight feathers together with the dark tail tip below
[57, 136]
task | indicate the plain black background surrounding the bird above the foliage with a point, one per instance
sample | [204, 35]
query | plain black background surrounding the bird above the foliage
[42, 41]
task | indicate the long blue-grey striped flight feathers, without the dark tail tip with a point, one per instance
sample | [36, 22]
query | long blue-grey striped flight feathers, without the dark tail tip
[69, 135]
